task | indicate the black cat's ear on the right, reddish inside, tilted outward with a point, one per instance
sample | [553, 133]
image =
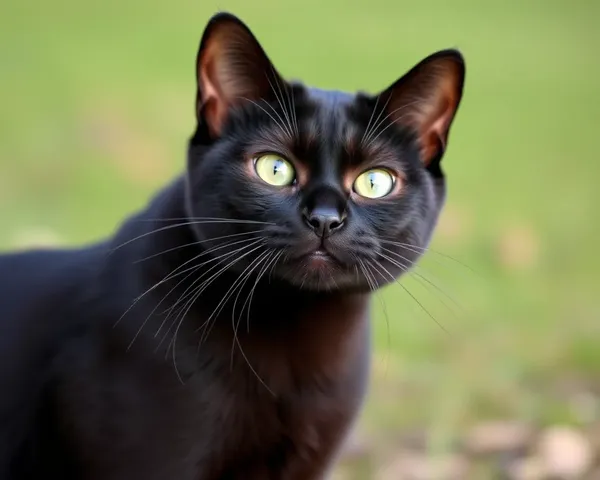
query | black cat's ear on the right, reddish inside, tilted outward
[426, 100]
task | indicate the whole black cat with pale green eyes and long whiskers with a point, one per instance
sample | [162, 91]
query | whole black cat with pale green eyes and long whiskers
[223, 332]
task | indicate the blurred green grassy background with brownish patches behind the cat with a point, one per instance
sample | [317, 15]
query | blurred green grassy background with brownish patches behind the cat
[492, 369]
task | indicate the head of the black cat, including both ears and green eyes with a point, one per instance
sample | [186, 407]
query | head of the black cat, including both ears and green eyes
[325, 190]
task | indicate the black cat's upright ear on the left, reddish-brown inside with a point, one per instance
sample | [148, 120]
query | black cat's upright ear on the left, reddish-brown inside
[232, 68]
